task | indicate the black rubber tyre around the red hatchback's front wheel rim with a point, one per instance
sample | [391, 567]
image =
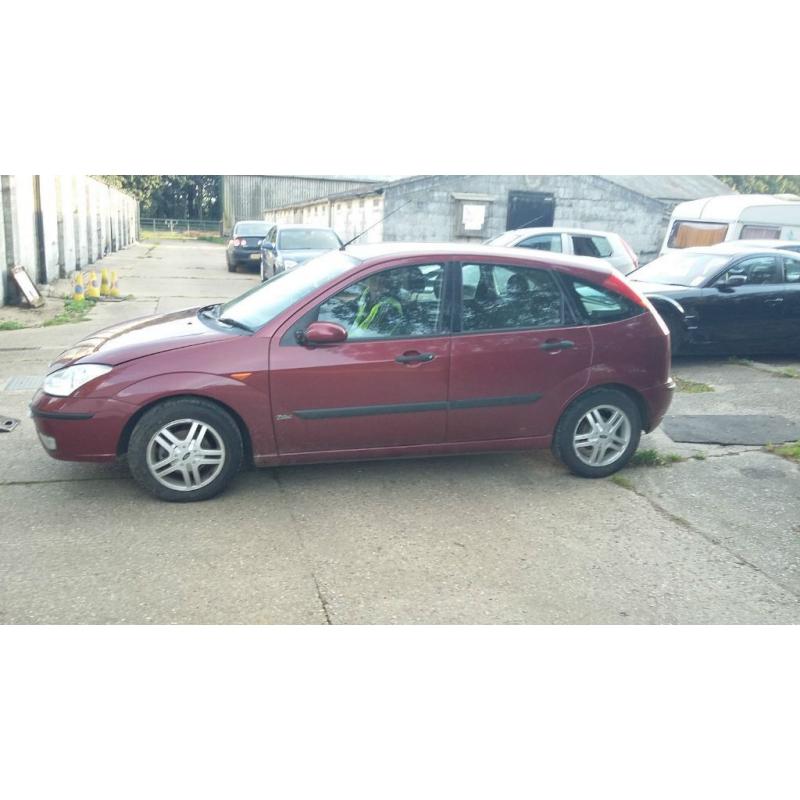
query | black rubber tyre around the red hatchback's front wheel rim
[220, 428]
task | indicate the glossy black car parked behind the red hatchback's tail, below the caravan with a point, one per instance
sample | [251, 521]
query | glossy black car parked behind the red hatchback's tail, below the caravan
[727, 298]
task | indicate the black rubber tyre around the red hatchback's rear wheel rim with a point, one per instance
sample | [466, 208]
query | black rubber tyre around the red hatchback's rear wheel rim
[564, 446]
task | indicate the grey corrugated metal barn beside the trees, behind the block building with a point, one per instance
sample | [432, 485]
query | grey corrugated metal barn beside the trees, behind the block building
[249, 196]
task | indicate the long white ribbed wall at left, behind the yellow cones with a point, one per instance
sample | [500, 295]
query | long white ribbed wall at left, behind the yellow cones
[55, 224]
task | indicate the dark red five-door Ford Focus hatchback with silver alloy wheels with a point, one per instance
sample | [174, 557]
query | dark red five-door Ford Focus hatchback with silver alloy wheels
[373, 352]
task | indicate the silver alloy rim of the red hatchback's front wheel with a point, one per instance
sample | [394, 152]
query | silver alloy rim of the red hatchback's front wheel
[185, 455]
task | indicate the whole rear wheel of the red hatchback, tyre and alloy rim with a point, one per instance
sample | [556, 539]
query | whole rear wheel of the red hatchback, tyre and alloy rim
[599, 433]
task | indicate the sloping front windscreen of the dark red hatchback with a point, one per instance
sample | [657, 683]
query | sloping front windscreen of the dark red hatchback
[264, 302]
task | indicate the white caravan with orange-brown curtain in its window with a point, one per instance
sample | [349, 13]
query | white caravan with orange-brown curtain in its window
[710, 220]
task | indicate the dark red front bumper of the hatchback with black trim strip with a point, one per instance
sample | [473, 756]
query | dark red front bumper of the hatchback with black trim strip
[85, 429]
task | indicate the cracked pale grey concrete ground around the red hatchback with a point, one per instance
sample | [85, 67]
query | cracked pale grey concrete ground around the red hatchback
[488, 539]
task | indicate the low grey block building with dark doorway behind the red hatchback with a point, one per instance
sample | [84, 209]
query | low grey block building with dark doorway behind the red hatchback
[442, 208]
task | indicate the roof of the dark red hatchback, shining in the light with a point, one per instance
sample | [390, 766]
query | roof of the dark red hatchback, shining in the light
[384, 250]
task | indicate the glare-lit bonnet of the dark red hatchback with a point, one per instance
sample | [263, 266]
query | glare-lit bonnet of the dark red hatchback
[141, 337]
